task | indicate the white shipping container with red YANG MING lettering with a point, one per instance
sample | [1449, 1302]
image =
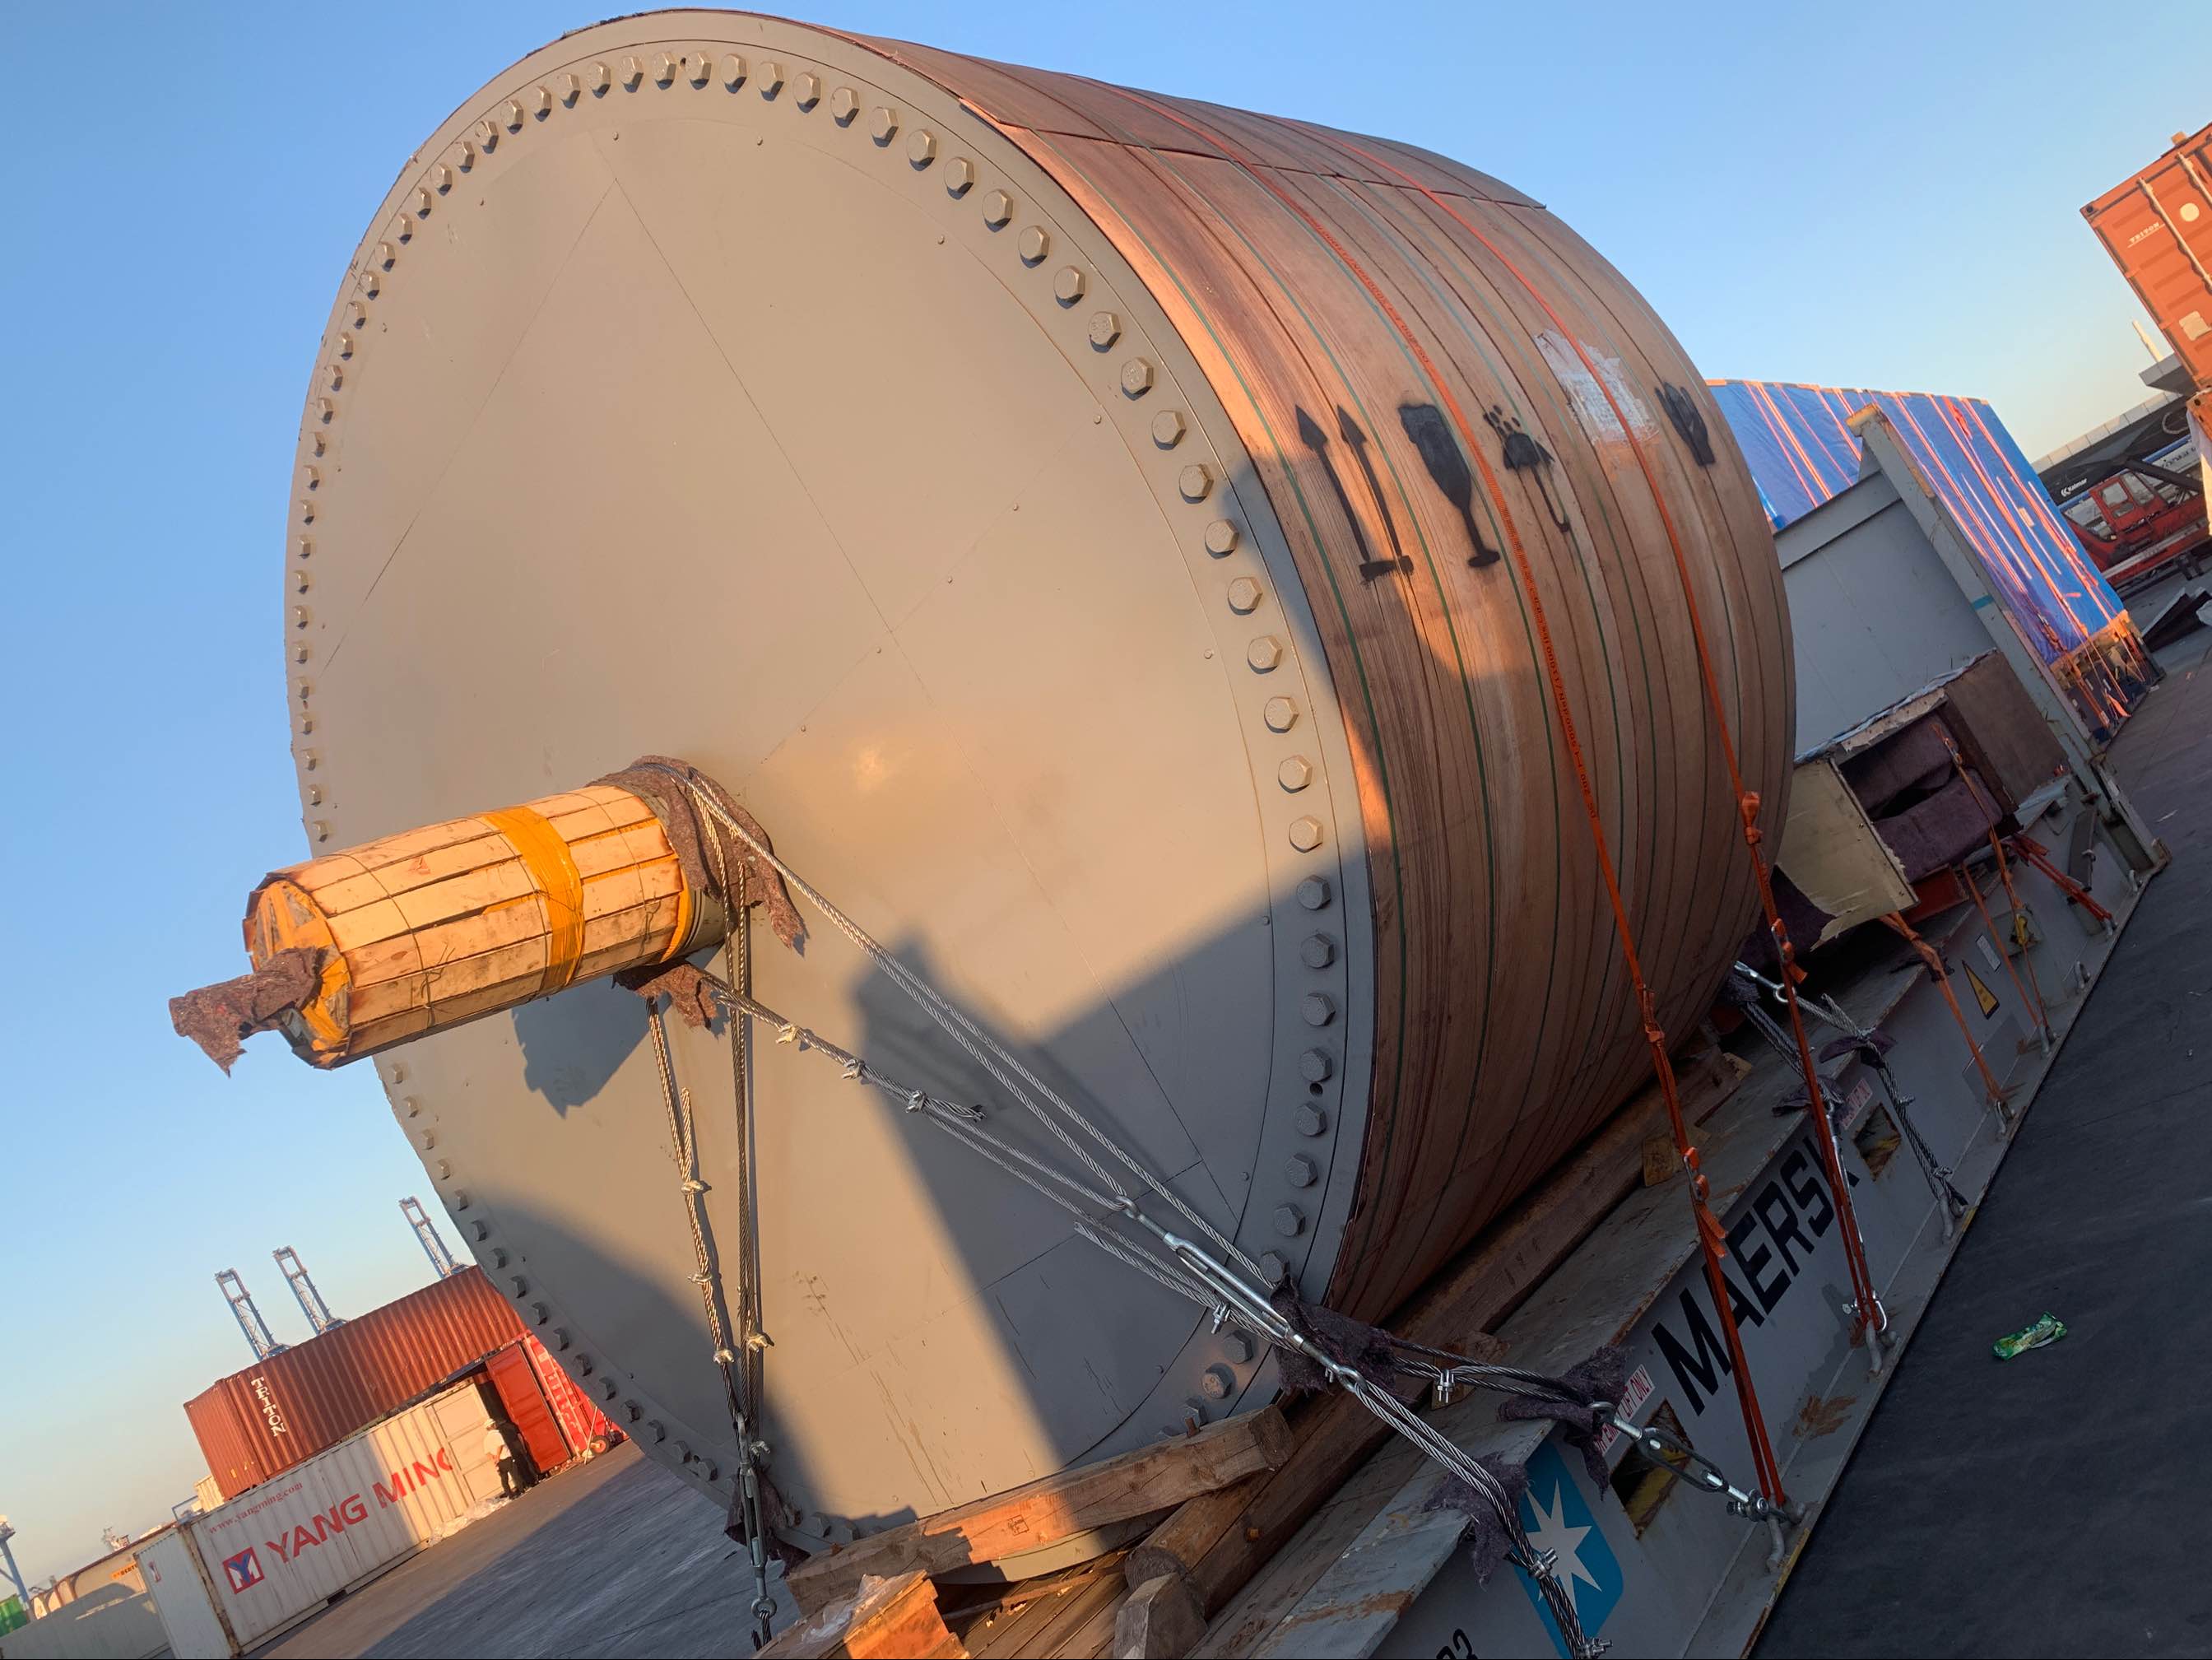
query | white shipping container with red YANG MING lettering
[278, 1553]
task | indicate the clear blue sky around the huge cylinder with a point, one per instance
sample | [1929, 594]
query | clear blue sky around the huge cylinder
[1866, 196]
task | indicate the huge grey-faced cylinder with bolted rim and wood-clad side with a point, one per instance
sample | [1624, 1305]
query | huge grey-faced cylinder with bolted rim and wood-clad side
[1109, 543]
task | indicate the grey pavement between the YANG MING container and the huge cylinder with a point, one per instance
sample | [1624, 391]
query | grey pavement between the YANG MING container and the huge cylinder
[609, 1559]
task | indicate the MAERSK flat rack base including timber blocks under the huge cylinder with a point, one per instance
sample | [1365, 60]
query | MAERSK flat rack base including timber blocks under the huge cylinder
[1377, 1562]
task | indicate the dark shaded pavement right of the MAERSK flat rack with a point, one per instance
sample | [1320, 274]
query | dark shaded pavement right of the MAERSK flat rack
[2054, 1504]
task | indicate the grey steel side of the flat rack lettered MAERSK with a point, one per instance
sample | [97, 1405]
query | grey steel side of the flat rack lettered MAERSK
[1669, 1570]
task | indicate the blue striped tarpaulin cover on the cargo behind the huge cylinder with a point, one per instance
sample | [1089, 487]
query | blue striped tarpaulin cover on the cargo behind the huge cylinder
[1804, 450]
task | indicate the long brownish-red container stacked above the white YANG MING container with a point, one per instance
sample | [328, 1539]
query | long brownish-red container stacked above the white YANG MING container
[313, 1396]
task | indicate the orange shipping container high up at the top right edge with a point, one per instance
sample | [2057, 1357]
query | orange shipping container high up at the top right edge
[2158, 227]
